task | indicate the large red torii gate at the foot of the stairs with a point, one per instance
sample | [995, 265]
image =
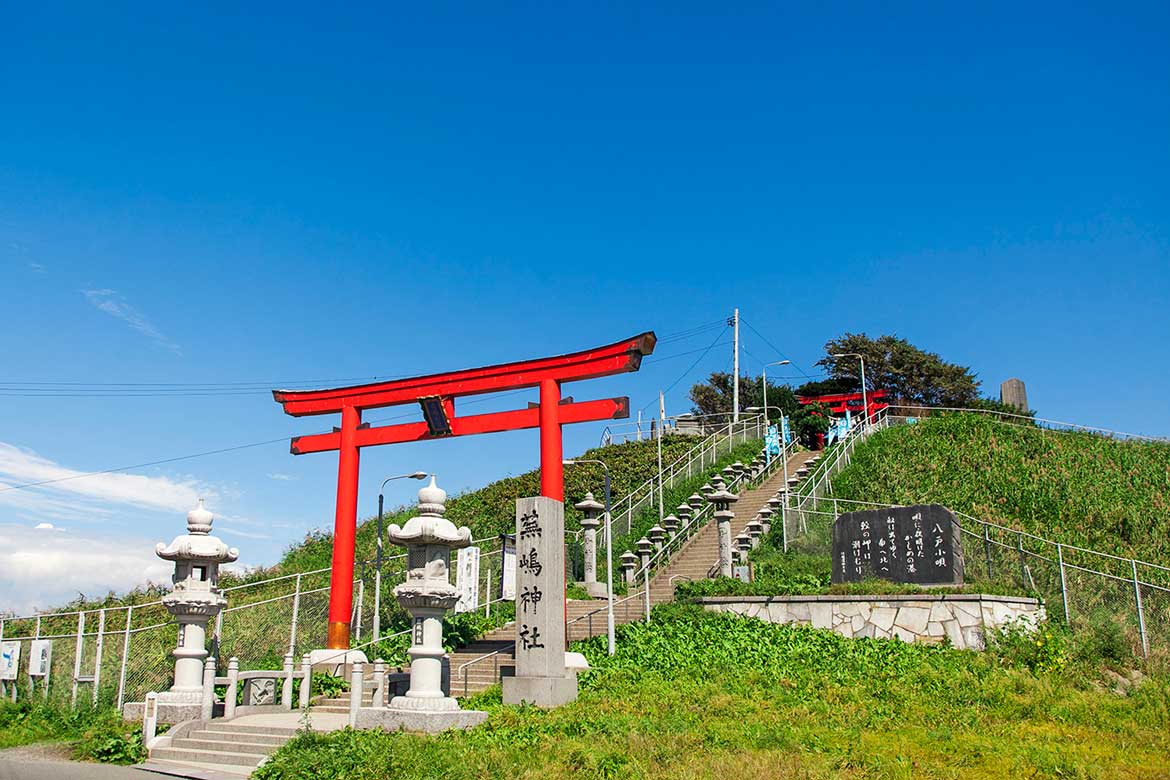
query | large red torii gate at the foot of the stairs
[437, 396]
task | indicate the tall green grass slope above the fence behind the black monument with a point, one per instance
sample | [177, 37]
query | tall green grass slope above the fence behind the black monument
[1076, 488]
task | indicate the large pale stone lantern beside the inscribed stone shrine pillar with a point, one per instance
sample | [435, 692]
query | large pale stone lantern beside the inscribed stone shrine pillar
[426, 595]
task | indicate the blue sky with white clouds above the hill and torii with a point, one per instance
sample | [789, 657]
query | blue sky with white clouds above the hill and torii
[214, 197]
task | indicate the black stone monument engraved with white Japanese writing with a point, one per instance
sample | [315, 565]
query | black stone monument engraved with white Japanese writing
[918, 544]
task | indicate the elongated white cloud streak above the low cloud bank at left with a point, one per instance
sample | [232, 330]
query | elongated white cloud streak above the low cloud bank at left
[19, 466]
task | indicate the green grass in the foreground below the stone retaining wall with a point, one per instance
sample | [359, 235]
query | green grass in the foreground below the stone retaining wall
[706, 695]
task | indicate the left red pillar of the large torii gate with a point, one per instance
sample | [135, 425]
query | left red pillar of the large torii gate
[341, 584]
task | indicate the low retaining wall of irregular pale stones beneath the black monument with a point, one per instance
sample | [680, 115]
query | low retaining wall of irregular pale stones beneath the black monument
[961, 618]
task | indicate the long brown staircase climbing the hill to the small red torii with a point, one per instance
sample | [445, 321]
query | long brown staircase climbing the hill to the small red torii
[494, 652]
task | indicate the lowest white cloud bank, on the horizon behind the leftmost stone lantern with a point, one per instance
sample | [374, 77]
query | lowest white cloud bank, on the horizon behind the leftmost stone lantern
[42, 571]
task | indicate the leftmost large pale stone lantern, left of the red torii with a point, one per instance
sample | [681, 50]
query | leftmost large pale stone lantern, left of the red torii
[195, 602]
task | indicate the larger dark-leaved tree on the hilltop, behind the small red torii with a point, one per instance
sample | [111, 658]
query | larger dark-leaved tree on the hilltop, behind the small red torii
[909, 375]
